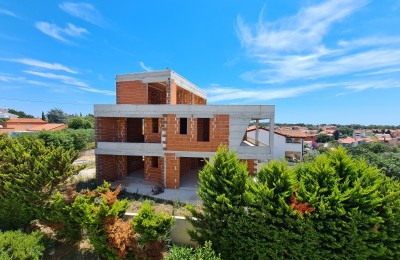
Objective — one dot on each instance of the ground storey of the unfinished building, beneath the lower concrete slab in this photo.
(169, 171)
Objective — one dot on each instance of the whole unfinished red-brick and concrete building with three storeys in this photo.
(162, 129)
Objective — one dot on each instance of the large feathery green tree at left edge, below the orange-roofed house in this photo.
(30, 173)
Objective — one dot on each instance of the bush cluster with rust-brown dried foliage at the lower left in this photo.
(100, 214)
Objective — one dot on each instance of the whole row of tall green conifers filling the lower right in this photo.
(332, 207)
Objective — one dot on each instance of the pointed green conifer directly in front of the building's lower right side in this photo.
(222, 186)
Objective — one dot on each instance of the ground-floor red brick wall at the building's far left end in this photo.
(110, 167)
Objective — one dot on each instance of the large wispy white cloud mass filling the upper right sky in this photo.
(293, 48)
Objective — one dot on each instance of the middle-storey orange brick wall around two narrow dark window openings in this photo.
(219, 134)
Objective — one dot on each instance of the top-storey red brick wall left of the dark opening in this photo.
(131, 92)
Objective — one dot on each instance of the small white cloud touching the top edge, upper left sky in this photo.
(83, 11)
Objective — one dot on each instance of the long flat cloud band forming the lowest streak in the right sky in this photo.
(316, 66)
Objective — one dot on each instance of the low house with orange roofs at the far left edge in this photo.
(22, 125)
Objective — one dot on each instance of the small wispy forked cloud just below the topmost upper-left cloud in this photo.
(58, 33)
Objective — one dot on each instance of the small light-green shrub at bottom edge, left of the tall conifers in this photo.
(189, 253)
